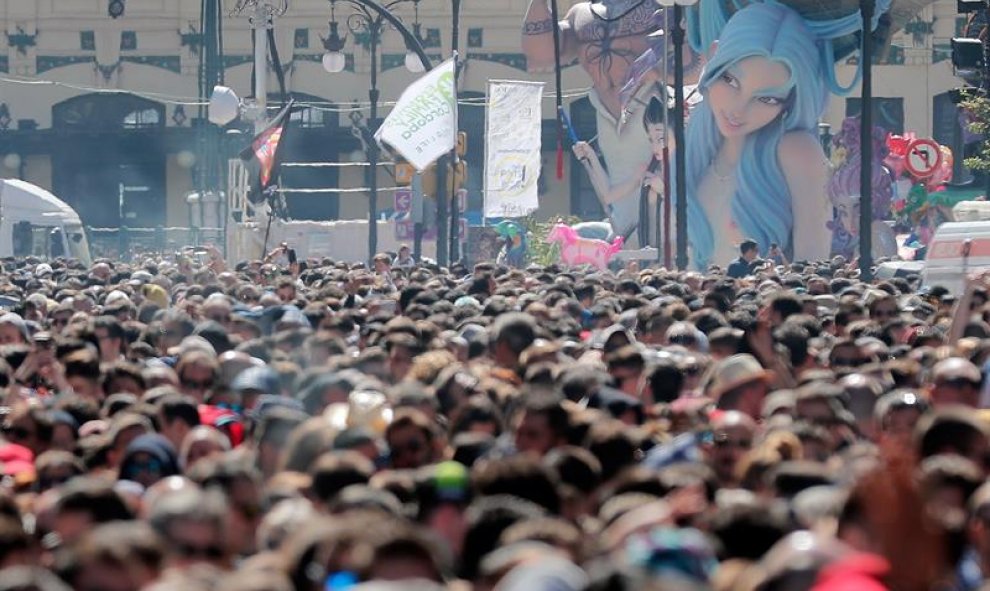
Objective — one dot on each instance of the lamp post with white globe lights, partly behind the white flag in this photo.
(370, 19)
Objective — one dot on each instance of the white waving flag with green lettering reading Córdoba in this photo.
(423, 124)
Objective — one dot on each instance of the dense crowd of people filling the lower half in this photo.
(173, 423)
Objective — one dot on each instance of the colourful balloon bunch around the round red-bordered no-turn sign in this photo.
(922, 204)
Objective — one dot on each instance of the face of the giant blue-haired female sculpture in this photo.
(748, 95)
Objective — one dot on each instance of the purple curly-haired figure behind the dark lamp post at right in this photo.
(844, 192)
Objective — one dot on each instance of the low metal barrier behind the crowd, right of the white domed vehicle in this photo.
(127, 244)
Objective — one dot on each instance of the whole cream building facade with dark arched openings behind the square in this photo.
(106, 112)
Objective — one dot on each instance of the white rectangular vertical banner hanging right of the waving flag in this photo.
(512, 148)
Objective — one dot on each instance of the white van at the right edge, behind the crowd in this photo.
(957, 249)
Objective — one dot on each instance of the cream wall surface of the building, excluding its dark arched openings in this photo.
(60, 49)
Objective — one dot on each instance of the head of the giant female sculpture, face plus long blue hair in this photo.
(764, 79)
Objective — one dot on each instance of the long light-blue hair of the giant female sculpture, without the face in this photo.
(762, 206)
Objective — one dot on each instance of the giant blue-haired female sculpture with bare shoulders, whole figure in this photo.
(773, 172)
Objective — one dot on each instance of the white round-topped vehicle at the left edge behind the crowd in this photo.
(33, 222)
